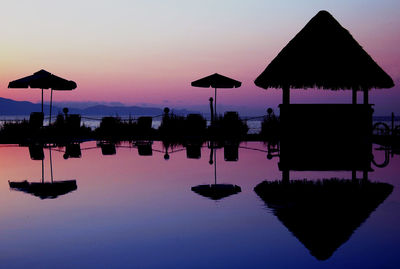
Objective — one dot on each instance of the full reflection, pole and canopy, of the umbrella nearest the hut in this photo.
(216, 191)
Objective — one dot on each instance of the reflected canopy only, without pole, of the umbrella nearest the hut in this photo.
(216, 191)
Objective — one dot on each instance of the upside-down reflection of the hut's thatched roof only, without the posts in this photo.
(323, 214)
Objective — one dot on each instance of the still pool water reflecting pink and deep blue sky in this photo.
(132, 211)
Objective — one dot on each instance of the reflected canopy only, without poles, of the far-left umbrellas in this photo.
(45, 190)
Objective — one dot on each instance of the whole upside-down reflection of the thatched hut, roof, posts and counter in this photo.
(323, 214)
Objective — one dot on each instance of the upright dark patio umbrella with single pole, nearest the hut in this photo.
(216, 81)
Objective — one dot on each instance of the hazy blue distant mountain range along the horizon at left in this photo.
(12, 107)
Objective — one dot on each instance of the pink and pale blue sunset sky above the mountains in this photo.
(148, 52)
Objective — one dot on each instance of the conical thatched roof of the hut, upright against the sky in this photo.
(324, 55)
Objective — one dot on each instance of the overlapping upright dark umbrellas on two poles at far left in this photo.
(44, 80)
